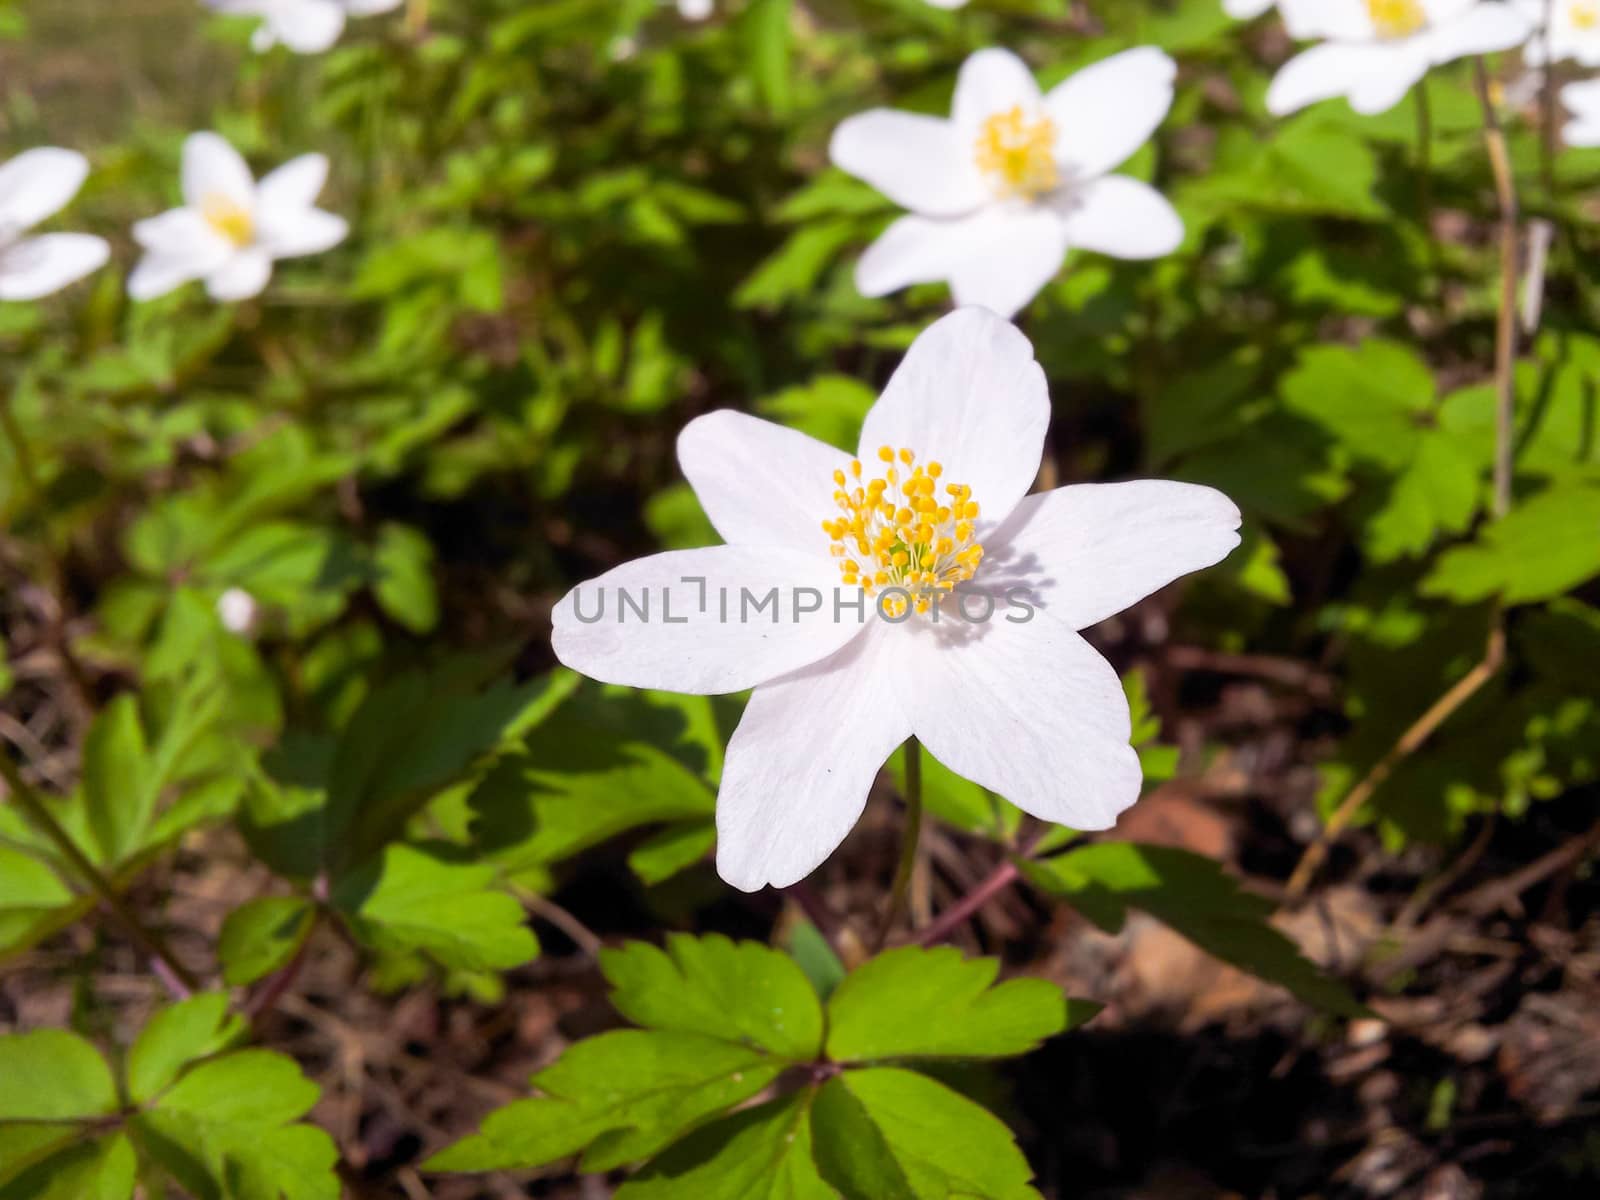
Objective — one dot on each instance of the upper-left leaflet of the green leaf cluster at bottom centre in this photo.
(714, 986)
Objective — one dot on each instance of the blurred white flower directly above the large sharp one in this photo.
(1002, 190)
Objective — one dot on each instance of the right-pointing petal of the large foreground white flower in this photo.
(1090, 551)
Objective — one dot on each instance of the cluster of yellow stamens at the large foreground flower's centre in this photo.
(902, 532)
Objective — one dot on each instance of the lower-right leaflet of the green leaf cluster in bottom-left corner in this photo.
(226, 1130)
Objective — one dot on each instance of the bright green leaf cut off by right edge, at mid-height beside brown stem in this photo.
(1546, 546)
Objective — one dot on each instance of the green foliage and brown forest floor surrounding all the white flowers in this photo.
(577, 226)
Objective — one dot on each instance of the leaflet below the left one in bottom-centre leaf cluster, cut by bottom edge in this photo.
(761, 1154)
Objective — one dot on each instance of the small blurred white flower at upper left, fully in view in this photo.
(231, 228)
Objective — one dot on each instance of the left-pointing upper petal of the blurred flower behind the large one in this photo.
(924, 164)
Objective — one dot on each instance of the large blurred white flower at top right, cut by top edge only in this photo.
(1377, 50)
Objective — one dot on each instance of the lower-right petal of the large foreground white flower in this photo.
(1026, 710)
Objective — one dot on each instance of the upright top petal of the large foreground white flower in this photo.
(970, 398)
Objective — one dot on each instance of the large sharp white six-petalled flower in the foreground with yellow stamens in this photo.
(870, 599)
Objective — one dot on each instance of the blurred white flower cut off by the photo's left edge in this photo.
(34, 186)
